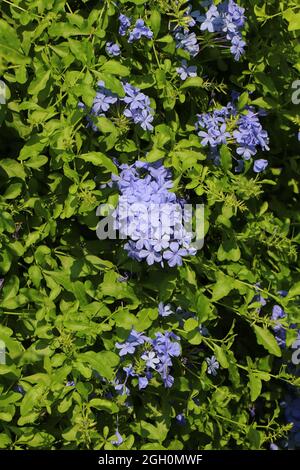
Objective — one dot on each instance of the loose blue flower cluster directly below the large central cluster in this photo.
(151, 356)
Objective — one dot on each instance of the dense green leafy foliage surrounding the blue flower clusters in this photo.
(68, 297)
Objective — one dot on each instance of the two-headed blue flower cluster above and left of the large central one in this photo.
(137, 104)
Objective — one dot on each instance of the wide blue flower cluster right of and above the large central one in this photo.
(228, 126)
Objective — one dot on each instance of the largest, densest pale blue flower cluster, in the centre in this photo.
(150, 215)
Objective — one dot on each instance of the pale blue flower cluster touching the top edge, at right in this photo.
(228, 19)
